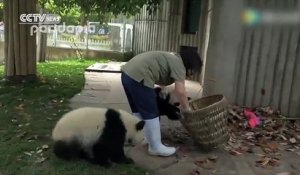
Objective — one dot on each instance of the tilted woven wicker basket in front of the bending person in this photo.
(207, 122)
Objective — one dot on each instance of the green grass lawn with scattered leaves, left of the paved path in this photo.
(29, 112)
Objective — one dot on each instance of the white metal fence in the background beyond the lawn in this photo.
(94, 36)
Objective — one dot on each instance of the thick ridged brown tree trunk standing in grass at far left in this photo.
(20, 46)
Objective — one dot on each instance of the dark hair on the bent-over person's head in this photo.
(192, 62)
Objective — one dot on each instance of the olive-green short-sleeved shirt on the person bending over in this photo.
(155, 67)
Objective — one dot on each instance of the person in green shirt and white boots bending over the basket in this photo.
(139, 77)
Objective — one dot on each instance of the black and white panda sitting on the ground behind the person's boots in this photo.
(97, 135)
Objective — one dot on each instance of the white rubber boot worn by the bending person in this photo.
(153, 135)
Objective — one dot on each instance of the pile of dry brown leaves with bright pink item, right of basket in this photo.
(272, 133)
